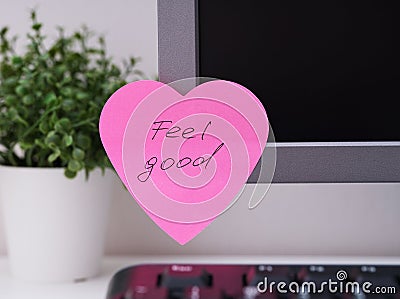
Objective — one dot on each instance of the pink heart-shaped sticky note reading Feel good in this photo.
(184, 158)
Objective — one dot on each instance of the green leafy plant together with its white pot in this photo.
(53, 180)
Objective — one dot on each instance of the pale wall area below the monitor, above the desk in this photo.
(293, 219)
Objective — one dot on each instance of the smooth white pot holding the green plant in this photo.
(55, 226)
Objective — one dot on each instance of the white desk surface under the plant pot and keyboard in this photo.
(96, 288)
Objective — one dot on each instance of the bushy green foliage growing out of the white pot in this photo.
(51, 98)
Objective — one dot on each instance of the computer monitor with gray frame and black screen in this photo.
(324, 70)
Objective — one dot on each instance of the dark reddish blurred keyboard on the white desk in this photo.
(180, 281)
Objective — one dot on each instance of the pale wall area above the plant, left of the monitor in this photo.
(130, 26)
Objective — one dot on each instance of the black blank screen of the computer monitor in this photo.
(324, 70)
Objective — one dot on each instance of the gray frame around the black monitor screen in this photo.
(297, 162)
